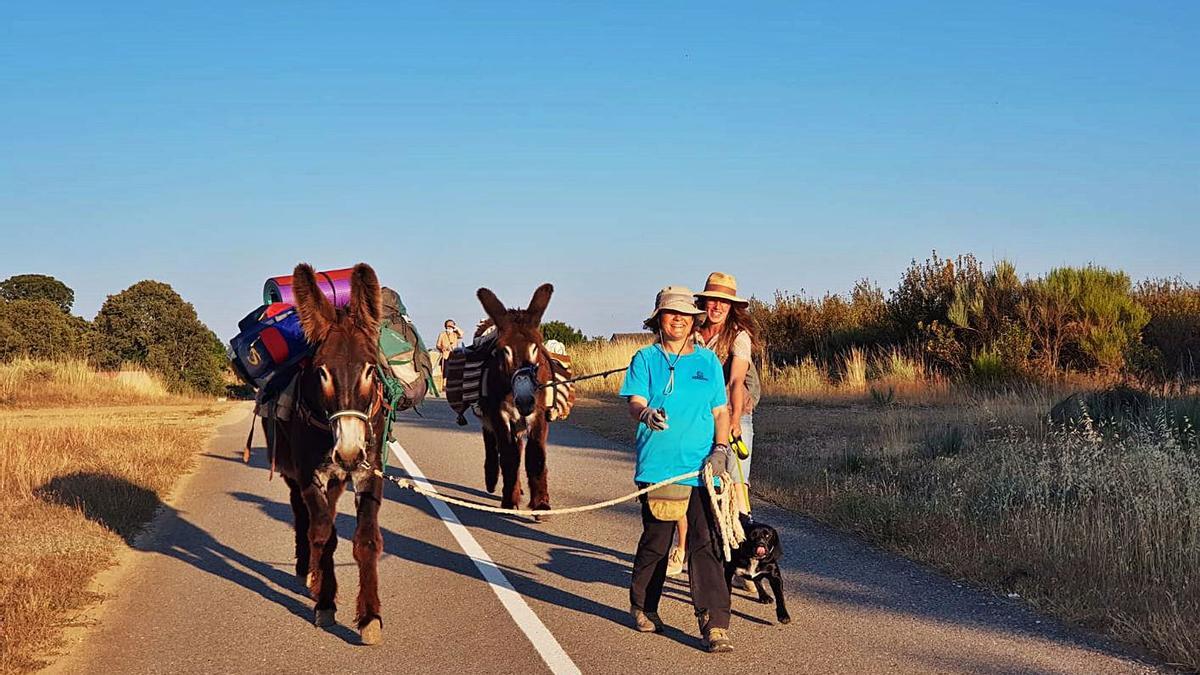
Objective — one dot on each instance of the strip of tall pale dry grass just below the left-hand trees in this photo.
(38, 384)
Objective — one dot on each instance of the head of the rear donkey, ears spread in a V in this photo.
(519, 349)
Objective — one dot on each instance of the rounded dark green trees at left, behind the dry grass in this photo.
(147, 326)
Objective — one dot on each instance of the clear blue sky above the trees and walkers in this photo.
(609, 148)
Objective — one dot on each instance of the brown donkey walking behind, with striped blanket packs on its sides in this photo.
(514, 415)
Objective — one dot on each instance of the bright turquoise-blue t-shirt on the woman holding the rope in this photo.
(699, 389)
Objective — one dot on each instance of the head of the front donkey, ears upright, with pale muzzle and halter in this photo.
(344, 383)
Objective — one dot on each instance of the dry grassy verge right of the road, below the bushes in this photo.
(1099, 524)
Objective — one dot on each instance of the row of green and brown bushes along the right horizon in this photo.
(963, 319)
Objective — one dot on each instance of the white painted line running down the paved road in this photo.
(539, 636)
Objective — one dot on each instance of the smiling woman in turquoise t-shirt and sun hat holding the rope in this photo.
(676, 393)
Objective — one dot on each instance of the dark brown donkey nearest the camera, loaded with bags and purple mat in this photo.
(337, 427)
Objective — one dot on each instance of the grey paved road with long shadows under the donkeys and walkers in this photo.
(212, 590)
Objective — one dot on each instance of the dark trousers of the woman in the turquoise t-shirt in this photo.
(706, 572)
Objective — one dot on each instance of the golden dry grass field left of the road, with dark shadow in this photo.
(87, 459)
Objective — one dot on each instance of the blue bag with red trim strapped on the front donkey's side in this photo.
(271, 341)
